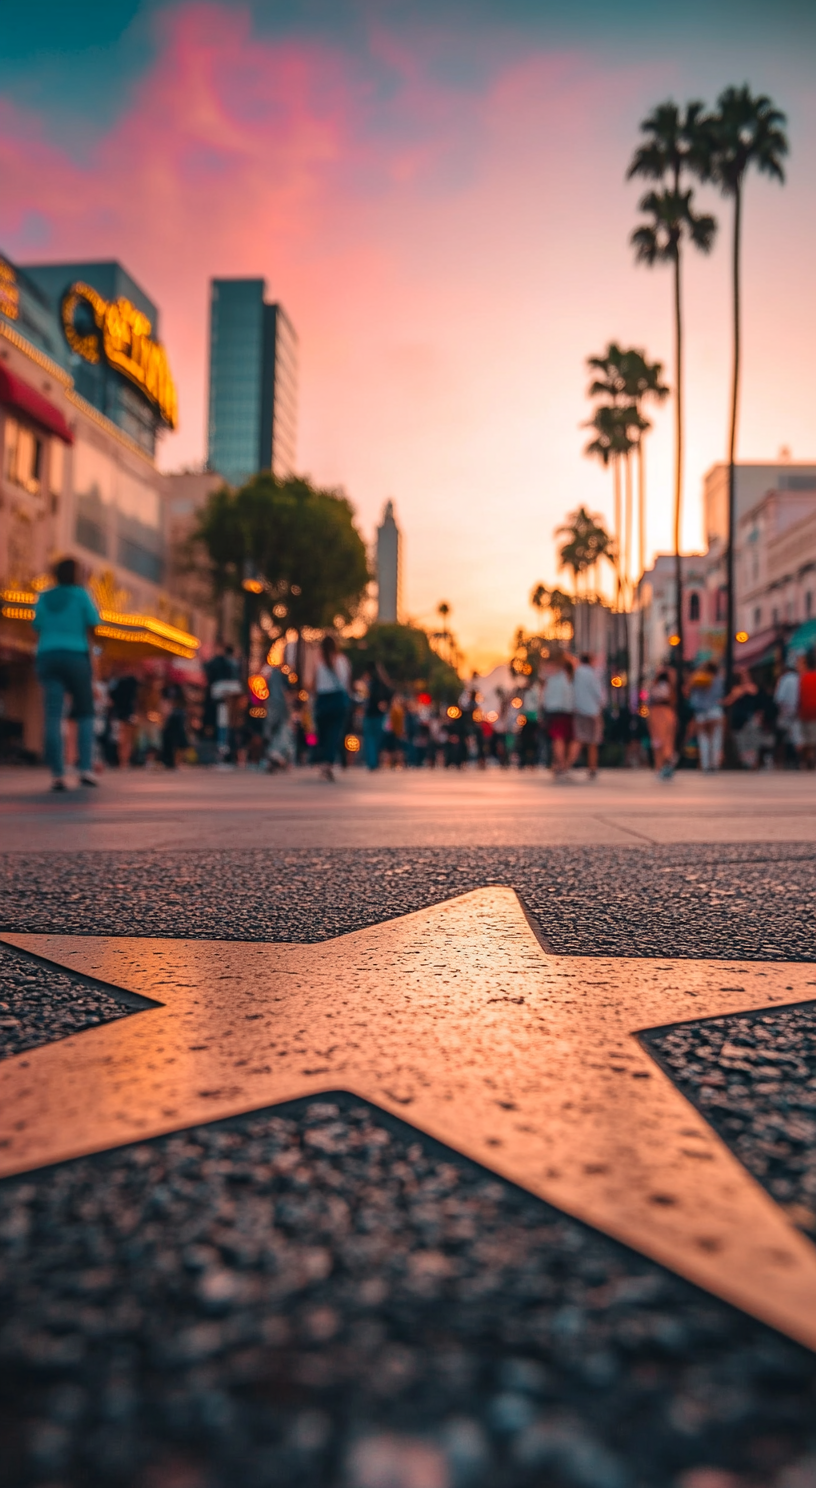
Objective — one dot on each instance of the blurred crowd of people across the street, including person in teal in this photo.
(556, 716)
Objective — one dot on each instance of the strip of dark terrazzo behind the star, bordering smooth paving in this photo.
(750, 902)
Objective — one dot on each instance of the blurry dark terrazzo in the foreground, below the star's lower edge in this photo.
(316, 1297)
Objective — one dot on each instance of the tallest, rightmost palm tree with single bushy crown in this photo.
(745, 132)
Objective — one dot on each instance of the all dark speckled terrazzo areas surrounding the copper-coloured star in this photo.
(321, 1297)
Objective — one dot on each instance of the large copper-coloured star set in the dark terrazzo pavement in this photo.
(458, 1022)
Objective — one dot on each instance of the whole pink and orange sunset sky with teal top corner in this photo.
(437, 194)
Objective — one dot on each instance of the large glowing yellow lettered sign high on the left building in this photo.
(117, 331)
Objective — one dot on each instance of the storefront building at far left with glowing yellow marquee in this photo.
(75, 481)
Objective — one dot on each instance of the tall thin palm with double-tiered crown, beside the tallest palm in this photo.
(677, 145)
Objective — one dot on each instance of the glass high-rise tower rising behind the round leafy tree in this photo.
(254, 383)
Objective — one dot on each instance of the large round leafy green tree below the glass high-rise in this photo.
(299, 539)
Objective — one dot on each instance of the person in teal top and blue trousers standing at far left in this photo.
(65, 620)
